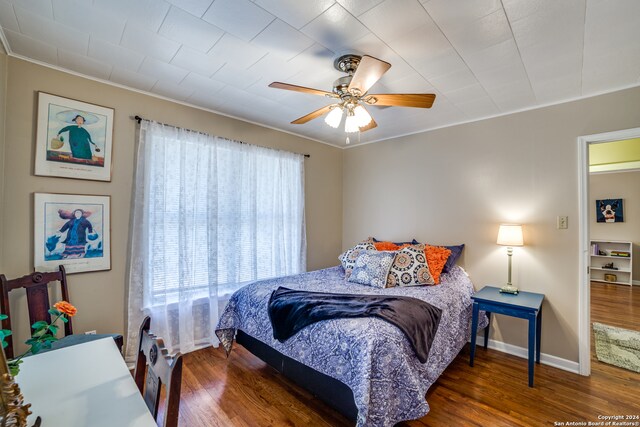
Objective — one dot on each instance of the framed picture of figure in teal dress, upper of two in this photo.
(73, 139)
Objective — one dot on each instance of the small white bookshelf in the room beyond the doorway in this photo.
(611, 252)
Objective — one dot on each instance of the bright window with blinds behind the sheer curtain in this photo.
(238, 223)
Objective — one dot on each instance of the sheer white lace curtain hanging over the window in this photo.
(209, 215)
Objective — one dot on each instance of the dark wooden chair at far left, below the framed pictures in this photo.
(37, 288)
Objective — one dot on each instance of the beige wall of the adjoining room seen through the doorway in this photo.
(621, 185)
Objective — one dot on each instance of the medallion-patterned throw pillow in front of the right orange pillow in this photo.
(410, 268)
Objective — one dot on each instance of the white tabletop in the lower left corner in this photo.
(83, 385)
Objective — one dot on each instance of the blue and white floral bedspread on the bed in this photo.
(371, 356)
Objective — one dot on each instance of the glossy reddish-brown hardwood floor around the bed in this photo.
(243, 391)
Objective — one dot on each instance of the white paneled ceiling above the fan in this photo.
(481, 57)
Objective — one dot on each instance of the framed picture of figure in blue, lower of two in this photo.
(72, 230)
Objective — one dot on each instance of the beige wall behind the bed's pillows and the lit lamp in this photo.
(456, 185)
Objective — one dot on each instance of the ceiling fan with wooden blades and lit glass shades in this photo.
(351, 94)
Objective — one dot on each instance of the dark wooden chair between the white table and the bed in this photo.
(160, 368)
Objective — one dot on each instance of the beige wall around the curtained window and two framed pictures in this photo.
(100, 296)
